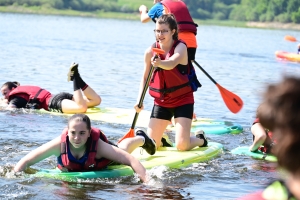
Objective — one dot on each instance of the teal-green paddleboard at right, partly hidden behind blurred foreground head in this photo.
(257, 154)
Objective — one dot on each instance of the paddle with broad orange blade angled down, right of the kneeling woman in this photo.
(233, 102)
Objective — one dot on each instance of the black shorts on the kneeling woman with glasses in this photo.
(186, 111)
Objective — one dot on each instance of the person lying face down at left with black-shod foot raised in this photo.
(34, 97)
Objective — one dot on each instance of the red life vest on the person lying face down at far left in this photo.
(33, 94)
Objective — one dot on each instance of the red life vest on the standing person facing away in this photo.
(182, 15)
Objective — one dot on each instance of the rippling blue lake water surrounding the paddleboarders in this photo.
(37, 50)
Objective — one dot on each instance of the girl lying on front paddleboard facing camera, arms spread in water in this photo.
(81, 147)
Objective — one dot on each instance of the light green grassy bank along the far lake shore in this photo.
(47, 9)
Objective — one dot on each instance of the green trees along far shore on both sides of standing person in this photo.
(239, 10)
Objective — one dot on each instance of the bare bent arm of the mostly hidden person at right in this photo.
(259, 134)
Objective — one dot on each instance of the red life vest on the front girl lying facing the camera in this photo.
(91, 163)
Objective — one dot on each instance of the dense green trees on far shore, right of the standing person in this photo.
(246, 10)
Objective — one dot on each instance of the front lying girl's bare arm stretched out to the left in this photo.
(39, 154)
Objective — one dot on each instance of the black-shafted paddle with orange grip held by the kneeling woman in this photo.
(131, 131)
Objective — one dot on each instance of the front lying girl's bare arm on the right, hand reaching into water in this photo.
(118, 155)
